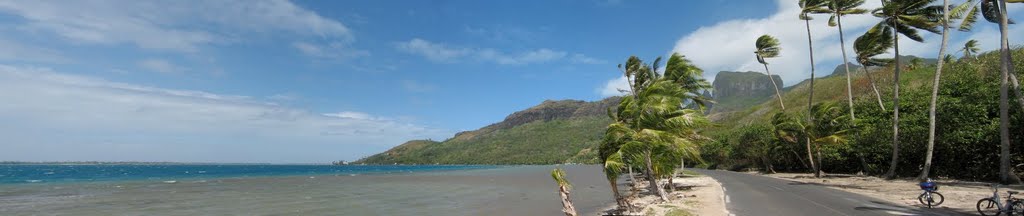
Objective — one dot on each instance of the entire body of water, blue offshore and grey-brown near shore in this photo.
(294, 190)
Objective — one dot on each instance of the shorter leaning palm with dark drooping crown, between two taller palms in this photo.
(873, 44)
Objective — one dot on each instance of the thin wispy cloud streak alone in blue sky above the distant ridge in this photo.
(440, 53)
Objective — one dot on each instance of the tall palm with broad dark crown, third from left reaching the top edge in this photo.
(906, 18)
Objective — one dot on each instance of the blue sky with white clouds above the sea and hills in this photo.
(276, 81)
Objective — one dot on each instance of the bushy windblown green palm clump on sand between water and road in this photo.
(654, 120)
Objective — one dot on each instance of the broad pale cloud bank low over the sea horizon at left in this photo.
(52, 116)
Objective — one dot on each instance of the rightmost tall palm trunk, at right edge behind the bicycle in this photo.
(1006, 172)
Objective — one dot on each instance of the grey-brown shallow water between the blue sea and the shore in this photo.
(507, 191)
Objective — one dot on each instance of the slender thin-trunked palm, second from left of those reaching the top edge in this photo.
(838, 9)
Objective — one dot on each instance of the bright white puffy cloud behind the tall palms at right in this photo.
(730, 46)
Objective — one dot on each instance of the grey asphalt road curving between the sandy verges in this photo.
(751, 195)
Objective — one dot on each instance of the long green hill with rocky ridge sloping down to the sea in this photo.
(553, 133)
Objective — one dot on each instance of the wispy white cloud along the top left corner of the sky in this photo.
(176, 26)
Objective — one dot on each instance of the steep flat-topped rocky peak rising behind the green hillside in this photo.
(737, 91)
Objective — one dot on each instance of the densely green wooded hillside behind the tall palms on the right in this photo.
(967, 144)
